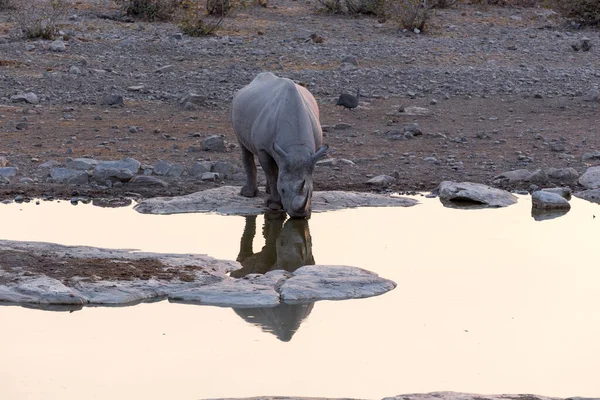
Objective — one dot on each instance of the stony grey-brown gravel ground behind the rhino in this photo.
(489, 89)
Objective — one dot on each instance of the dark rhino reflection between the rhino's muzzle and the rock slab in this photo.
(287, 247)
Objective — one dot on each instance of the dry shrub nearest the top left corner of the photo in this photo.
(40, 19)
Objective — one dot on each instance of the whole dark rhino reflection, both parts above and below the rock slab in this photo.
(287, 246)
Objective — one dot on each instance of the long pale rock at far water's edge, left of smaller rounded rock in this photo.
(475, 193)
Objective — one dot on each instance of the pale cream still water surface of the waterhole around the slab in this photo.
(488, 301)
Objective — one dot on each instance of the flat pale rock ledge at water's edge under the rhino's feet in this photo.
(227, 200)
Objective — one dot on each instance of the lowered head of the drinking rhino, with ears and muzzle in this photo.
(294, 182)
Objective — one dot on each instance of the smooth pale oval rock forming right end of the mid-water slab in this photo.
(327, 282)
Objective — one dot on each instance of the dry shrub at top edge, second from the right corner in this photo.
(408, 14)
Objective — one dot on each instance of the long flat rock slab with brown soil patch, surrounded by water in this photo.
(46, 274)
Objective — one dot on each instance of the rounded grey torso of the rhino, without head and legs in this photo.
(272, 109)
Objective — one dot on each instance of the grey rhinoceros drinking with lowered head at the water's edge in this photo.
(278, 121)
